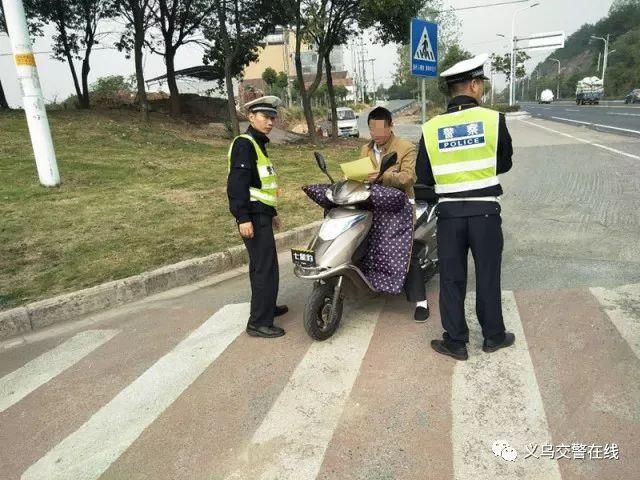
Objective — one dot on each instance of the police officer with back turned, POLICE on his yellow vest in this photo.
(462, 152)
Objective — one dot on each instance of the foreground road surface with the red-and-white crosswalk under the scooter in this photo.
(172, 387)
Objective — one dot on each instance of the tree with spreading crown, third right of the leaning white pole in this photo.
(179, 22)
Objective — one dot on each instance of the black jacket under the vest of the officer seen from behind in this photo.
(504, 164)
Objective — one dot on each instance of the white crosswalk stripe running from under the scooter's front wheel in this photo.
(291, 441)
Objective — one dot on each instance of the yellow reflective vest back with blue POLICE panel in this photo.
(462, 148)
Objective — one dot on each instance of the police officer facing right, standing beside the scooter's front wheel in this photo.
(252, 188)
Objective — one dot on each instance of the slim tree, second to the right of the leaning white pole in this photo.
(138, 15)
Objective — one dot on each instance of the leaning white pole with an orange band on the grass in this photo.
(34, 107)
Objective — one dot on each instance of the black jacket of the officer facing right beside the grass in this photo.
(244, 174)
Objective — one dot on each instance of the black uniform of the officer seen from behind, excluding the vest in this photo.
(474, 225)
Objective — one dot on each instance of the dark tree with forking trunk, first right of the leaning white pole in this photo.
(76, 23)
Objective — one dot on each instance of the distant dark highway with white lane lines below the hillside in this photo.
(617, 118)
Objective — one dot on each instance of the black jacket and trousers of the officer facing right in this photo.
(263, 258)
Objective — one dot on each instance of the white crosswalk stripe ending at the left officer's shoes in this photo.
(90, 450)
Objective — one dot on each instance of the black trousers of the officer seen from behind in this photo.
(482, 234)
